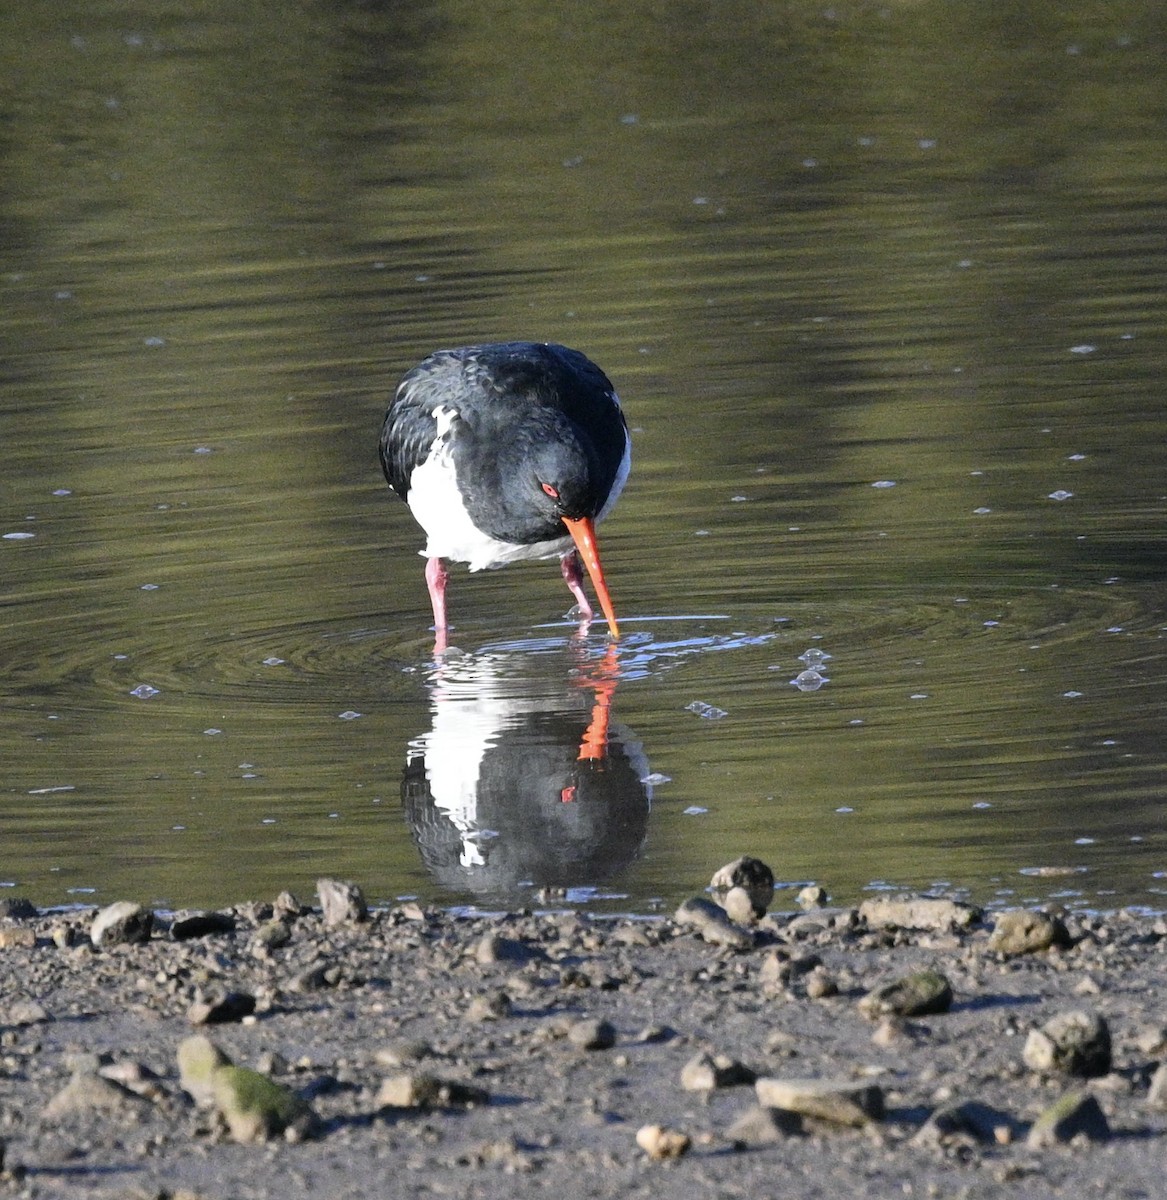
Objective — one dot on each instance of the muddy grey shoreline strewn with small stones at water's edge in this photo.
(429, 1054)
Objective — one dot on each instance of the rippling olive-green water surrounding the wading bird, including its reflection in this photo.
(883, 290)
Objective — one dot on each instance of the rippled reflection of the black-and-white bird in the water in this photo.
(525, 781)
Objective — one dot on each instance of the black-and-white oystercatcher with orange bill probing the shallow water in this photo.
(507, 452)
